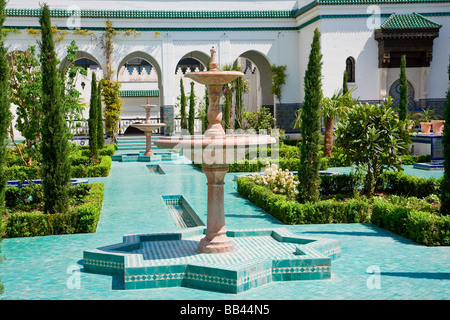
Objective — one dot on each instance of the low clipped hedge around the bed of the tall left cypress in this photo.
(82, 217)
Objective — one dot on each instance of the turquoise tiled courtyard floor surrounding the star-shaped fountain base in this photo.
(51, 267)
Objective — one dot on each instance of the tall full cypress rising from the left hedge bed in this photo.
(54, 144)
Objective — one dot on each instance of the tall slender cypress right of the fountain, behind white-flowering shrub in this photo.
(308, 172)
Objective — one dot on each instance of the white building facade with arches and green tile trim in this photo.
(174, 36)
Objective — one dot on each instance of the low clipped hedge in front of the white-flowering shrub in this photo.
(291, 212)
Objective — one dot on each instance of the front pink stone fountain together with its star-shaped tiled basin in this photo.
(190, 257)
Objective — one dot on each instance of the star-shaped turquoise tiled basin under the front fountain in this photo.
(171, 260)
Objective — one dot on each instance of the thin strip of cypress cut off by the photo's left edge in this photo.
(5, 114)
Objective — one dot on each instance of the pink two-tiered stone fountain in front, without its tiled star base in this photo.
(215, 150)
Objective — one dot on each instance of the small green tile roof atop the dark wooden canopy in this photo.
(409, 21)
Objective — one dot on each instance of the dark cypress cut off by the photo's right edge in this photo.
(445, 184)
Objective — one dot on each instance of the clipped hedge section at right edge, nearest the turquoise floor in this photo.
(420, 226)
